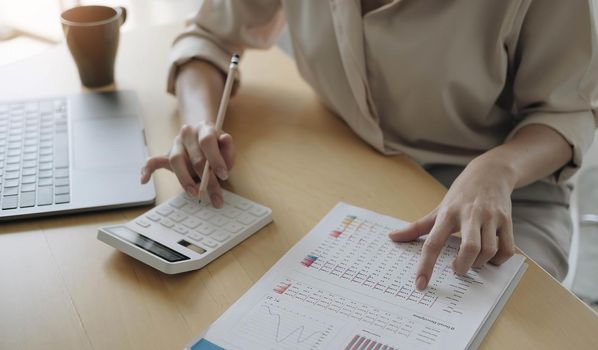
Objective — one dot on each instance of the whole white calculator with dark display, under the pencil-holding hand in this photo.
(185, 234)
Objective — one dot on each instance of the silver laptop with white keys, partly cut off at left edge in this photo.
(70, 154)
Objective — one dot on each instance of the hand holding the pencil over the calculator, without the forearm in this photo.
(187, 157)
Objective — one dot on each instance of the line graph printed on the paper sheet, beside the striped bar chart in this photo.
(273, 325)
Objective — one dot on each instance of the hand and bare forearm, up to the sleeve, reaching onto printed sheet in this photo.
(479, 202)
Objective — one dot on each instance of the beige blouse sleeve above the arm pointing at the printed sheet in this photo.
(556, 73)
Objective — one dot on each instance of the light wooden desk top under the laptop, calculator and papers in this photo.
(60, 288)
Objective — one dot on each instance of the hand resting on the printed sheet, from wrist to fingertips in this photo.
(478, 204)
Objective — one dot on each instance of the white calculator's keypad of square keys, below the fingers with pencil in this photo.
(201, 223)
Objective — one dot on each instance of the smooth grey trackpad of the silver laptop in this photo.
(107, 142)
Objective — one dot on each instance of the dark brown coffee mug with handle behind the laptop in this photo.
(92, 34)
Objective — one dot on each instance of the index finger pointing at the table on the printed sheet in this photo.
(430, 251)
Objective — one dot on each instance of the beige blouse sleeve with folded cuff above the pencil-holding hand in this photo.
(223, 27)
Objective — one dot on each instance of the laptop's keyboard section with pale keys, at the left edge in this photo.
(34, 157)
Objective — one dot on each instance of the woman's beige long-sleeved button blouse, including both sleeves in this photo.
(442, 81)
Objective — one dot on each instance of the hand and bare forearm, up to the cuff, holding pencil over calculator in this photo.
(199, 86)
